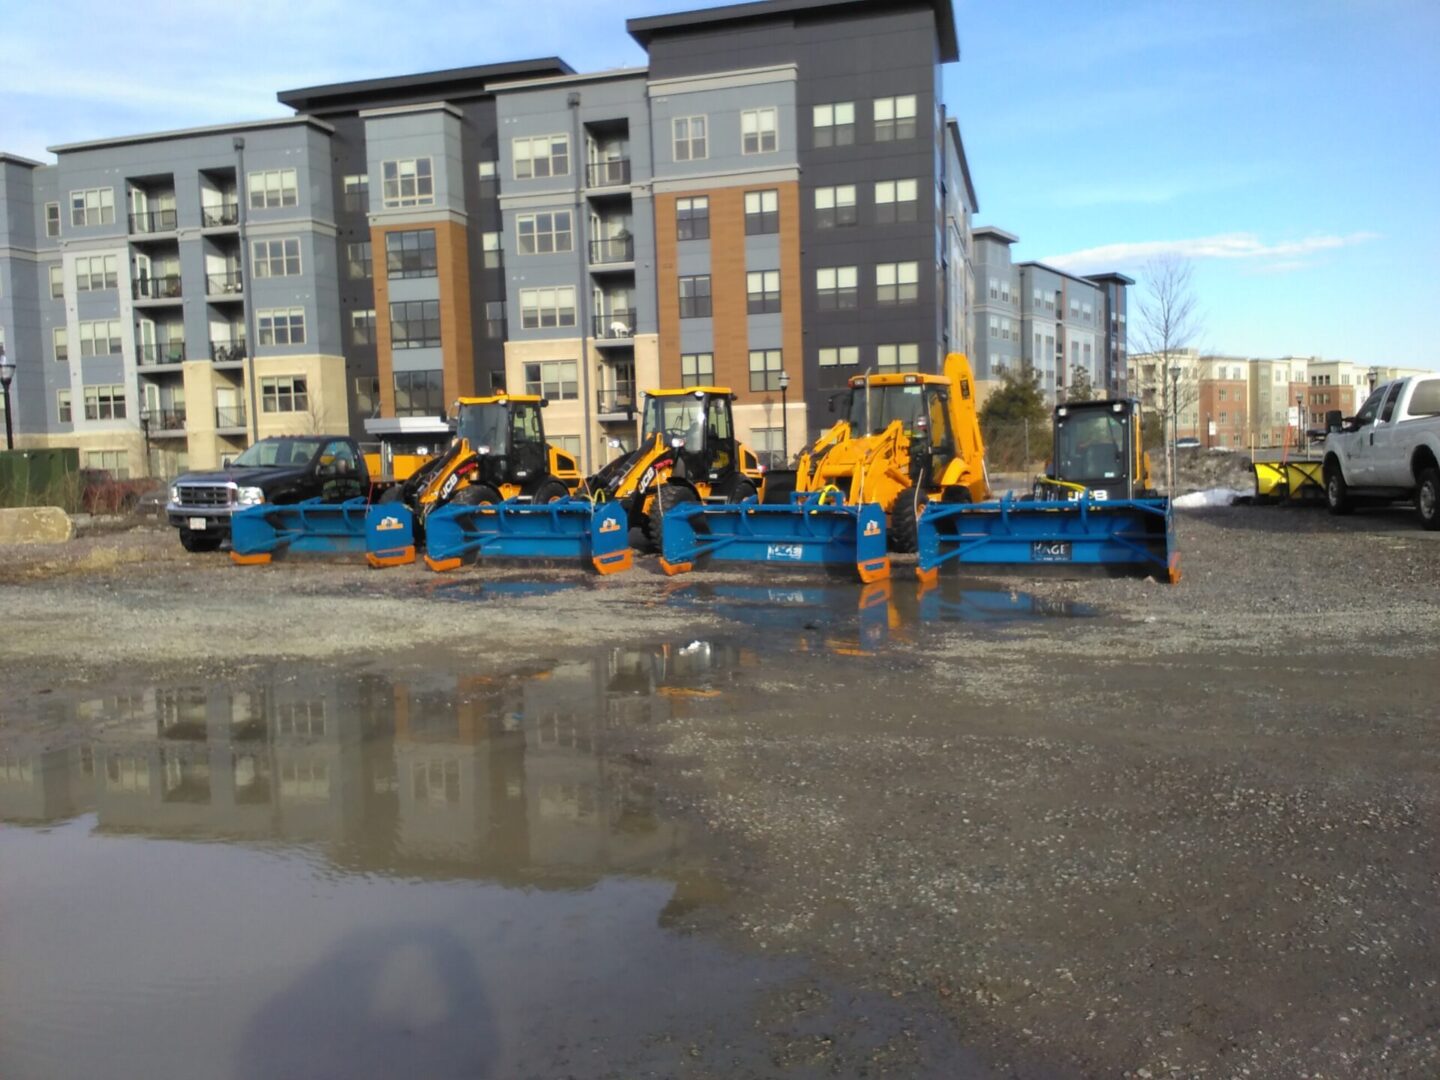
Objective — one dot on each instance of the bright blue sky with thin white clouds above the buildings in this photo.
(1291, 149)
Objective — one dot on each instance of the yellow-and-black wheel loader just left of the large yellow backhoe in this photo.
(688, 453)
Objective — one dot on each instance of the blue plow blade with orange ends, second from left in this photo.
(570, 529)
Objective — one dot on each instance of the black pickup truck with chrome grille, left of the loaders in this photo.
(284, 469)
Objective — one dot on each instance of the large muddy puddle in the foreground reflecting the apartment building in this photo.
(329, 873)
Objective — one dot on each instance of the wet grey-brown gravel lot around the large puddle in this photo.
(1190, 836)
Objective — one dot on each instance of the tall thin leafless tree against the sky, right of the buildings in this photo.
(1167, 326)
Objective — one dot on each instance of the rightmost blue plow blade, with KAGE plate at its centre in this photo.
(1125, 534)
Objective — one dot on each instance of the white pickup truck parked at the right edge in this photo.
(1389, 450)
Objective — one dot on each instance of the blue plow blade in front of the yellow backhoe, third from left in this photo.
(816, 529)
